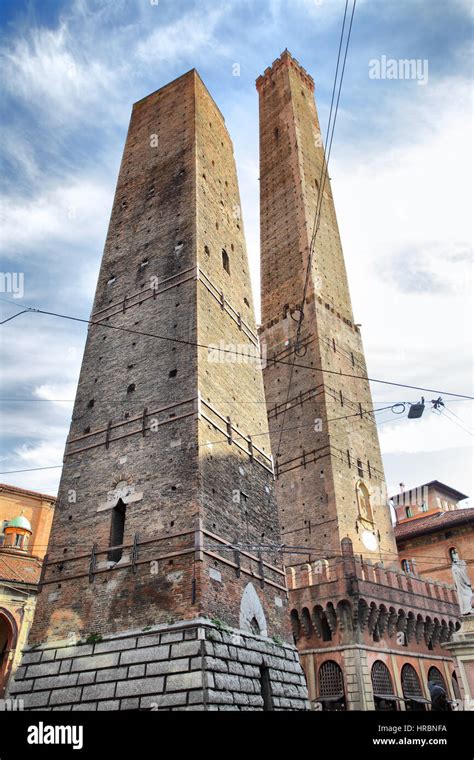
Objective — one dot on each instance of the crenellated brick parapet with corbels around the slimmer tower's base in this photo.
(350, 591)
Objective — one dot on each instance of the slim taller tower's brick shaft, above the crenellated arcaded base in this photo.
(330, 479)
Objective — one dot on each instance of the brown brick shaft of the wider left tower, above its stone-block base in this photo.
(176, 211)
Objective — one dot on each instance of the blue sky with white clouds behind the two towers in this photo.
(400, 169)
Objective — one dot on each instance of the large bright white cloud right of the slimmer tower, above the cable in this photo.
(404, 211)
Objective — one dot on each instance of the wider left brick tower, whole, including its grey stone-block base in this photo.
(159, 589)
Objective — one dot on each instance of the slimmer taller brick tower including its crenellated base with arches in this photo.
(369, 637)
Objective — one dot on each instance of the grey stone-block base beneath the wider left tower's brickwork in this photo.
(192, 665)
